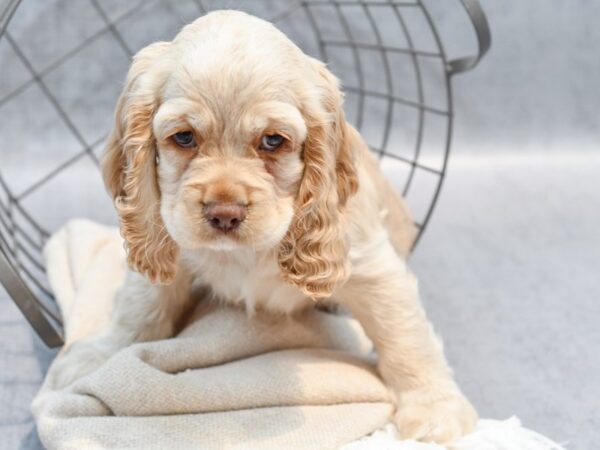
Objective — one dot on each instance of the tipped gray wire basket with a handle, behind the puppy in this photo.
(63, 63)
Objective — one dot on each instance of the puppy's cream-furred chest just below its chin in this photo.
(254, 281)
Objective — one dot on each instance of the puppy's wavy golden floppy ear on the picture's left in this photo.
(129, 170)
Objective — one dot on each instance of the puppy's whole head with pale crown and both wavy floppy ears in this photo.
(231, 137)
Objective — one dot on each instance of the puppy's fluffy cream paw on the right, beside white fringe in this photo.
(432, 415)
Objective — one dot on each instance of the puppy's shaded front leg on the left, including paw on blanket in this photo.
(142, 312)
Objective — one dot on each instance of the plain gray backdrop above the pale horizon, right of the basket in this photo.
(537, 90)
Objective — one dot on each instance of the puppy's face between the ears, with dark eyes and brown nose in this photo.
(230, 158)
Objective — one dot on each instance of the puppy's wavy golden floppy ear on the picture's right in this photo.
(314, 253)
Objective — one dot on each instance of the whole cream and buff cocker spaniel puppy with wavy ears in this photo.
(232, 167)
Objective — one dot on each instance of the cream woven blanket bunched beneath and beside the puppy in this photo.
(227, 381)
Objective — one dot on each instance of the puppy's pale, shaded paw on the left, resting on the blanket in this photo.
(81, 359)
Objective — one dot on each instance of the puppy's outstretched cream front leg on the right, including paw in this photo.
(383, 296)
